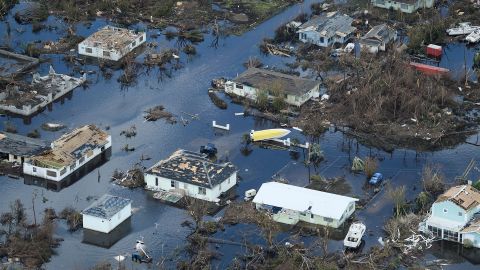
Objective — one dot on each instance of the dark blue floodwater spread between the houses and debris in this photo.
(105, 103)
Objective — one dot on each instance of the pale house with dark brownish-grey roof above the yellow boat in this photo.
(295, 90)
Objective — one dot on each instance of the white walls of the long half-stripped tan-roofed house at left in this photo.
(61, 173)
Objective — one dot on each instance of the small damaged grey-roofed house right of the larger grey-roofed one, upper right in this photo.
(378, 38)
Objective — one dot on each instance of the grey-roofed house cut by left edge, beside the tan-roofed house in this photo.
(18, 148)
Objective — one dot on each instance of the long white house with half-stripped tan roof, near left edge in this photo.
(70, 157)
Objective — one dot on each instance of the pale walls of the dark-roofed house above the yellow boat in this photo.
(251, 93)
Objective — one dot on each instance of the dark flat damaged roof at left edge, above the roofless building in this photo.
(12, 64)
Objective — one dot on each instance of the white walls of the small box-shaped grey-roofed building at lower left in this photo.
(107, 225)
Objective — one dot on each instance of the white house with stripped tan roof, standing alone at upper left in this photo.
(111, 43)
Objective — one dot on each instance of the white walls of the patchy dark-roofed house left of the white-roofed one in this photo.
(212, 194)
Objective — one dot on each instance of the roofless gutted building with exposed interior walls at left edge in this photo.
(27, 99)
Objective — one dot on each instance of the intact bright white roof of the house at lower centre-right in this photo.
(301, 199)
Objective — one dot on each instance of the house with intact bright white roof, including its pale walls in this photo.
(290, 204)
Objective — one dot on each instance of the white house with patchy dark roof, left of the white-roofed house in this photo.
(191, 174)
